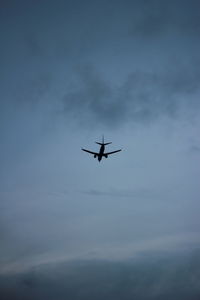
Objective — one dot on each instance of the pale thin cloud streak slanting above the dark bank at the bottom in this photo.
(163, 244)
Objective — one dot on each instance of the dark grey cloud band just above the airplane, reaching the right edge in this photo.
(142, 98)
